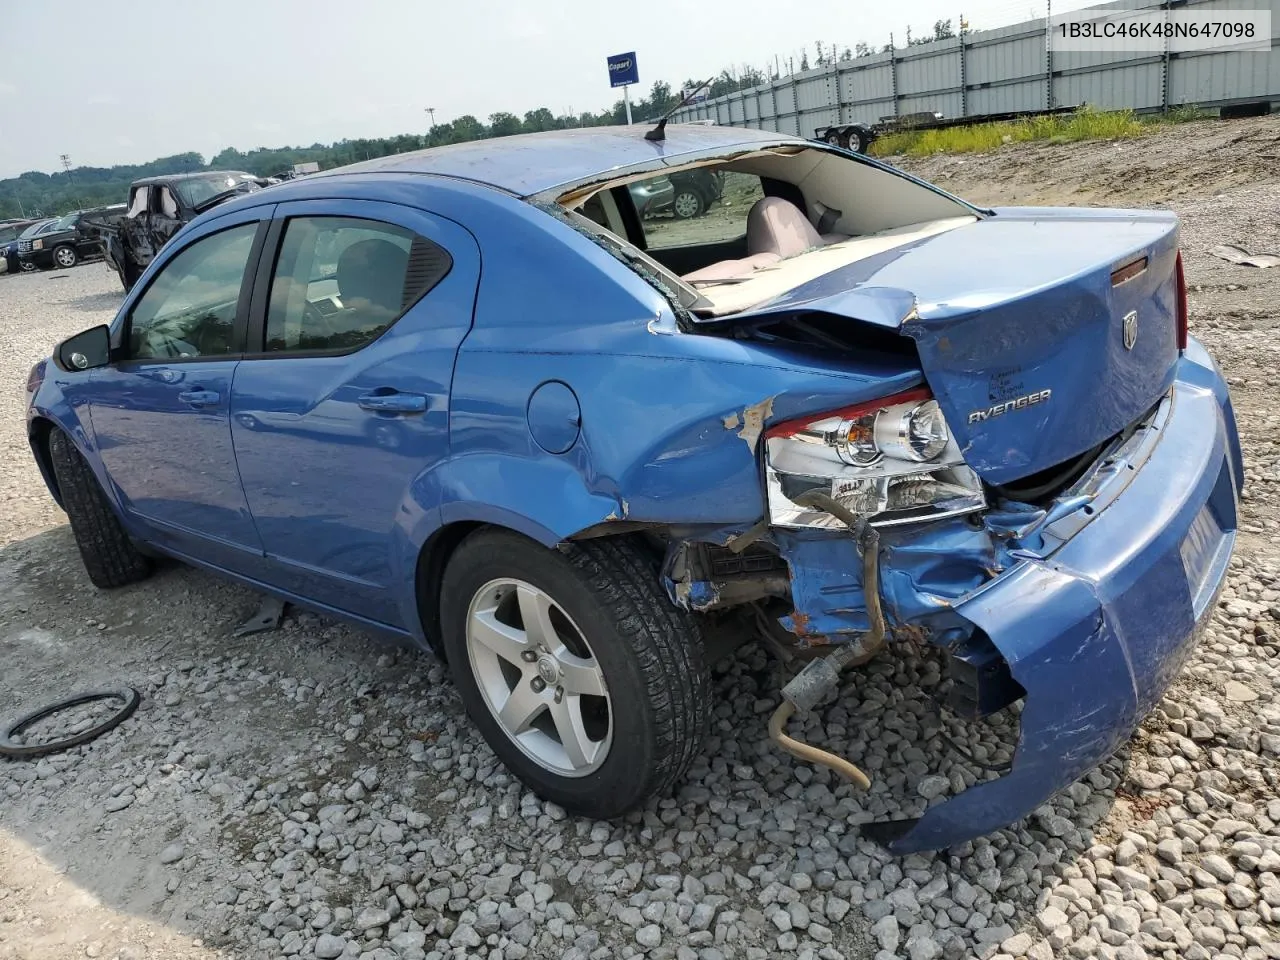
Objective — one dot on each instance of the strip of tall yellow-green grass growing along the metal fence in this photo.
(1053, 129)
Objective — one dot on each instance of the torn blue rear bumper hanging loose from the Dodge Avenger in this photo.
(1099, 629)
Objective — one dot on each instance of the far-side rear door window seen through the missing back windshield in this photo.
(696, 207)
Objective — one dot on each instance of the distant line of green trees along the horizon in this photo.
(38, 194)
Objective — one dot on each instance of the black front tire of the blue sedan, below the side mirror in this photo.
(109, 556)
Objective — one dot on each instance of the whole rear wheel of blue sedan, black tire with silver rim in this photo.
(604, 602)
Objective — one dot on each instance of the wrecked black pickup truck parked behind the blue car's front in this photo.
(159, 207)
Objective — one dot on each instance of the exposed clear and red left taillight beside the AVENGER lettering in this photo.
(892, 460)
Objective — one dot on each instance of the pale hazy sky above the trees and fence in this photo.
(113, 84)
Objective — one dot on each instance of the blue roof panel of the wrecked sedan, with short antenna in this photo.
(532, 163)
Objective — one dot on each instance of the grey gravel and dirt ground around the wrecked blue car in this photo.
(310, 793)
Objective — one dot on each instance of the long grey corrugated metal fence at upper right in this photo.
(1003, 71)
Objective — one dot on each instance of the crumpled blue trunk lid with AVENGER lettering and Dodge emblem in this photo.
(1021, 327)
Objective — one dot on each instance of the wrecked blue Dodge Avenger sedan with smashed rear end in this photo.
(470, 399)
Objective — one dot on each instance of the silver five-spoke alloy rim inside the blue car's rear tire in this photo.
(540, 678)
